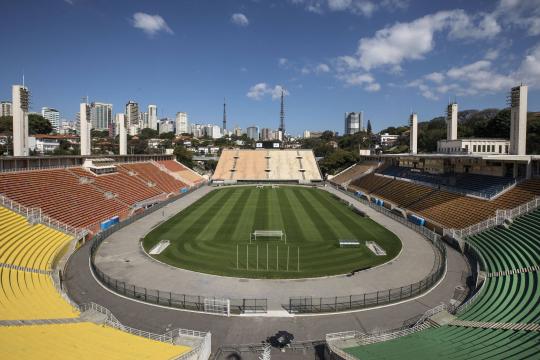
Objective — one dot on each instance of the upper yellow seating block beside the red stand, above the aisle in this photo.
(30, 246)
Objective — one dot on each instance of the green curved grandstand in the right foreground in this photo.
(503, 321)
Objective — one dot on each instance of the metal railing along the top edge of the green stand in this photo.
(498, 219)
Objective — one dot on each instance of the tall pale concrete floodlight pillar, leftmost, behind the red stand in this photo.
(20, 98)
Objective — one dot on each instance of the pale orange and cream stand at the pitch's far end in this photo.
(267, 165)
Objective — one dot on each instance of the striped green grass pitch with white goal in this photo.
(205, 236)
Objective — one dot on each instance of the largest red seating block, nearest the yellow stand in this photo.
(61, 195)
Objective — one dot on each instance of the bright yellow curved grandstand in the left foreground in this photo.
(37, 321)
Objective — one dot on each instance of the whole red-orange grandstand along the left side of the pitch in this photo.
(84, 198)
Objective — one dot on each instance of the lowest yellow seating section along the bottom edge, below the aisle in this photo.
(82, 340)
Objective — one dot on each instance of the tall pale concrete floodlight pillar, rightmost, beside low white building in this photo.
(518, 120)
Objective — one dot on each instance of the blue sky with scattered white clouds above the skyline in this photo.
(384, 57)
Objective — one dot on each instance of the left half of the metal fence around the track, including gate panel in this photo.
(159, 297)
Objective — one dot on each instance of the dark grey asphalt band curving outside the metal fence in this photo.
(82, 287)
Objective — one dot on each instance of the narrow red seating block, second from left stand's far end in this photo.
(151, 174)
